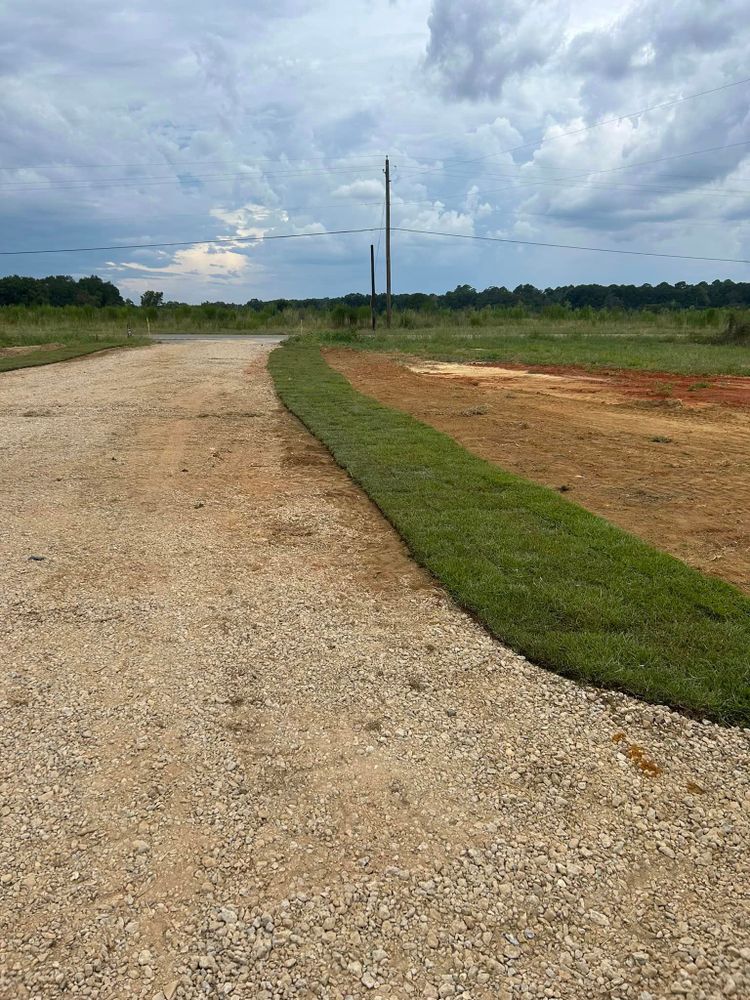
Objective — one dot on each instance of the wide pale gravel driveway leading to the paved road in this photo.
(249, 750)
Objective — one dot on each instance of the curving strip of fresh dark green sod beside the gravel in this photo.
(567, 589)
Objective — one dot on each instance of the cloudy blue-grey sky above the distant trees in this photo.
(180, 121)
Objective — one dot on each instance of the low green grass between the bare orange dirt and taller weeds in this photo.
(540, 341)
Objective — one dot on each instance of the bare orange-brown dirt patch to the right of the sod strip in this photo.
(644, 450)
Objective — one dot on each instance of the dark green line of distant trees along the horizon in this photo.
(63, 290)
